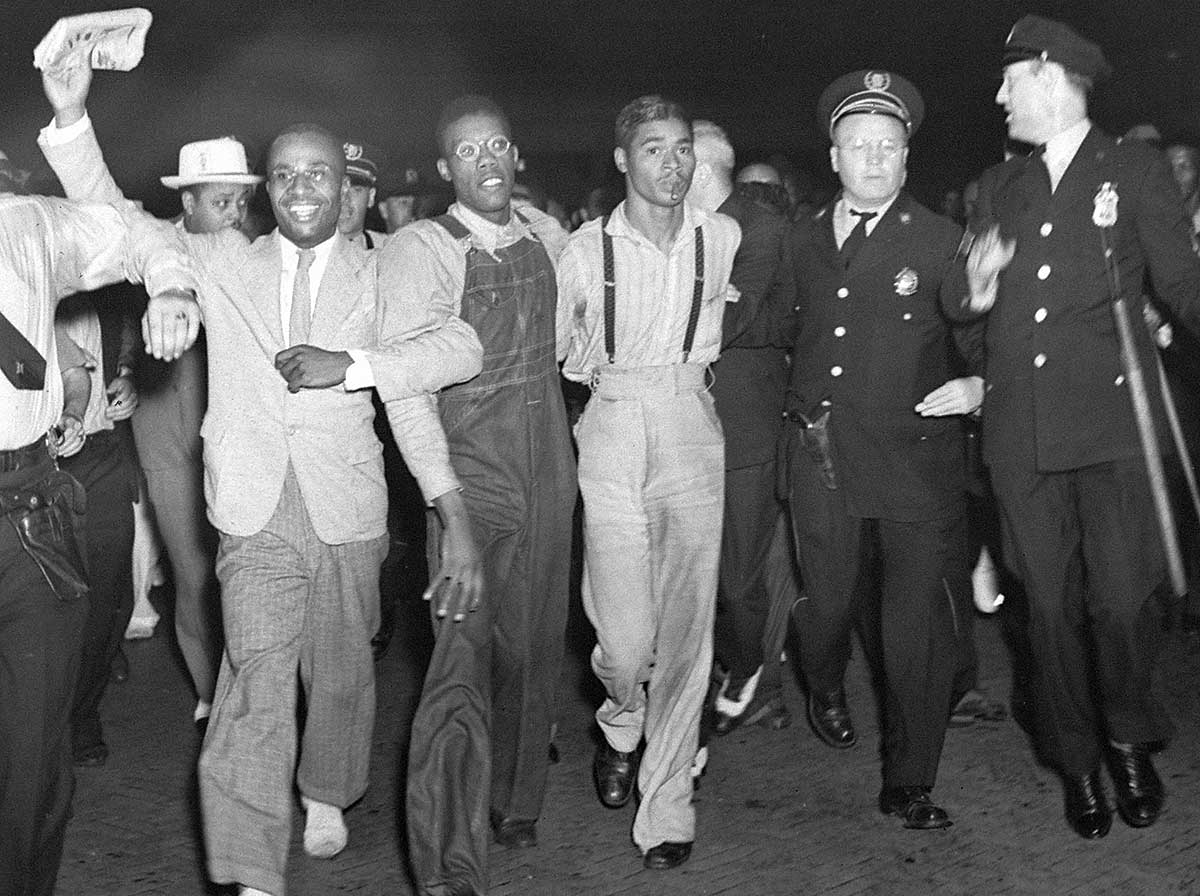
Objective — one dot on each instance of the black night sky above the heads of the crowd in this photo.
(562, 70)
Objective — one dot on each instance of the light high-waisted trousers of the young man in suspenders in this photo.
(652, 473)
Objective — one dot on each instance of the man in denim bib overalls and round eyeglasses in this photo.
(482, 732)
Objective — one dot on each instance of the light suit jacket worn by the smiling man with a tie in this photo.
(254, 428)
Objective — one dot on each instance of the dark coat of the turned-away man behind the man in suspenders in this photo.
(751, 378)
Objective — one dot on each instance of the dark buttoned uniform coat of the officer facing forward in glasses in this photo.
(873, 342)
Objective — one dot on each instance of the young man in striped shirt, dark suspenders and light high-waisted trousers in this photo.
(640, 320)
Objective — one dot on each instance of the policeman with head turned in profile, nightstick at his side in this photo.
(1060, 432)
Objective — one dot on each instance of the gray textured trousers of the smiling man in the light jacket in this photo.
(292, 605)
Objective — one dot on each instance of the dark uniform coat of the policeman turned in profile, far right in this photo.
(1057, 393)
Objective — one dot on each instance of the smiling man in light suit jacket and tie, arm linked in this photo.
(295, 485)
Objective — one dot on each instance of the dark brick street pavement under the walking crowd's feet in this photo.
(779, 814)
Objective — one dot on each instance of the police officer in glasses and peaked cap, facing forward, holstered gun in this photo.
(875, 452)
